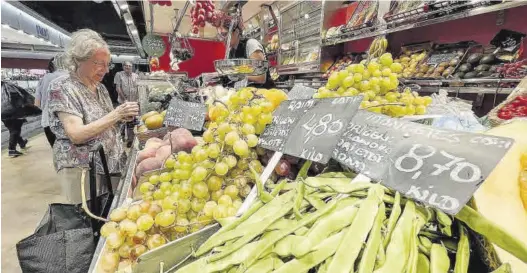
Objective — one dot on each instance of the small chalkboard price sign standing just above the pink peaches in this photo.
(188, 115)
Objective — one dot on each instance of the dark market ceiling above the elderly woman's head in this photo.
(100, 16)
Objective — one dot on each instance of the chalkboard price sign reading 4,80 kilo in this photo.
(310, 128)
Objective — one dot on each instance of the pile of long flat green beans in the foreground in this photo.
(325, 224)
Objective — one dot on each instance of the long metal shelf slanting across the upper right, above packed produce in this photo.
(385, 28)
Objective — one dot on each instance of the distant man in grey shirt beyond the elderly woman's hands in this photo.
(126, 86)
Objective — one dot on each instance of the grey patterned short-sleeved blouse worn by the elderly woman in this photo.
(71, 96)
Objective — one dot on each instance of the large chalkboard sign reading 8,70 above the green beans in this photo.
(442, 168)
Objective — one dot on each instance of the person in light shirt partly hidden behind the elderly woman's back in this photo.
(56, 70)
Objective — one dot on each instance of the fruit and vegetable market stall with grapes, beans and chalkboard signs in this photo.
(371, 158)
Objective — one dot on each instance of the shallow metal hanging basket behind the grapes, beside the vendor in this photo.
(246, 67)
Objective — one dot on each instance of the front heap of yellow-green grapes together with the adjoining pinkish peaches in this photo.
(199, 184)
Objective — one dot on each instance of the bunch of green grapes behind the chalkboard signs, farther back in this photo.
(377, 80)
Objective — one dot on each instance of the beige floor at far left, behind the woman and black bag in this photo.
(29, 184)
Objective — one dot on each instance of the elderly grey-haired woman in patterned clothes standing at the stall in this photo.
(82, 115)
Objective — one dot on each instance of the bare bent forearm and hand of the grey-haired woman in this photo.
(80, 133)
